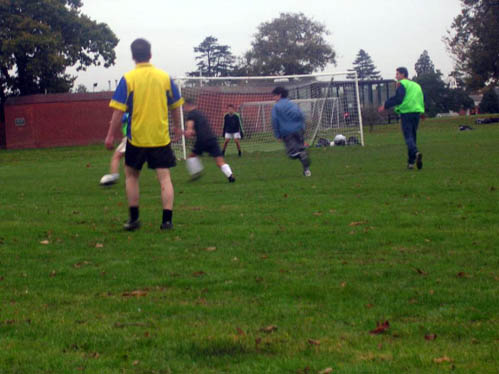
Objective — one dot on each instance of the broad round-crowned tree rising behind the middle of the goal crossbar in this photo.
(290, 44)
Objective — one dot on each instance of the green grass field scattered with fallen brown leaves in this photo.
(276, 273)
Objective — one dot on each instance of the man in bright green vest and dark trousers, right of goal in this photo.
(409, 103)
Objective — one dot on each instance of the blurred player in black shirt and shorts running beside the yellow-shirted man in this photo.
(197, 126)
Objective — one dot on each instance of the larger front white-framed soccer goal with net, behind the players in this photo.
(329, 101)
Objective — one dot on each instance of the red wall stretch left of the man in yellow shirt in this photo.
(40, 121)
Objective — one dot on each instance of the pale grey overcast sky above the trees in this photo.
(393, 32)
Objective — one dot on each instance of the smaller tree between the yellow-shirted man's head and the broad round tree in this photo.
(214, 60)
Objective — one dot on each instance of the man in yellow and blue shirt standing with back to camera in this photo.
(147, 94)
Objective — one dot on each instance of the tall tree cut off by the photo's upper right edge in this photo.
(473, 42)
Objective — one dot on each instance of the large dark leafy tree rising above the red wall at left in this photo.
(40, 39)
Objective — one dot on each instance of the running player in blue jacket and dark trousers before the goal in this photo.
(288, 123)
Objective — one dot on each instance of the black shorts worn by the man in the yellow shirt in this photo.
(156, 157)
